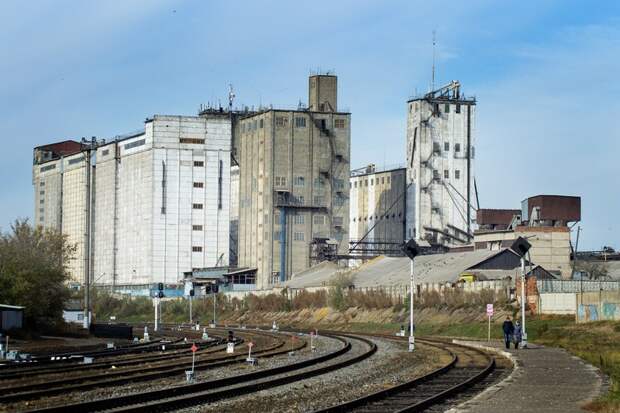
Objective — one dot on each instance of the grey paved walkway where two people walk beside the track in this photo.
(545, 380)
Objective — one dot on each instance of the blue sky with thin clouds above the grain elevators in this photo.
(544, 74)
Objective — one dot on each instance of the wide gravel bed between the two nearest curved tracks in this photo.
(391, 365)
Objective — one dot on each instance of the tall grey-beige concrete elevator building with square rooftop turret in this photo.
(293, 183)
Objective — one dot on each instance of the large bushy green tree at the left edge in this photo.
(33, 272)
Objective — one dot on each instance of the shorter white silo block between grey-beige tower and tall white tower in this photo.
(377, 210)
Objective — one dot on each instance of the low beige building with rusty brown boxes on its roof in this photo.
(543, 220)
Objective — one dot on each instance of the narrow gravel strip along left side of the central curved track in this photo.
(323, 346)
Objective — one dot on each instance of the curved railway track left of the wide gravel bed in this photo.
(213, 390)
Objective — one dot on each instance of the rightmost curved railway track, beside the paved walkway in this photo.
(467, 367)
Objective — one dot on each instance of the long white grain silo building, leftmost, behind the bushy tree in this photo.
(143, 208)
